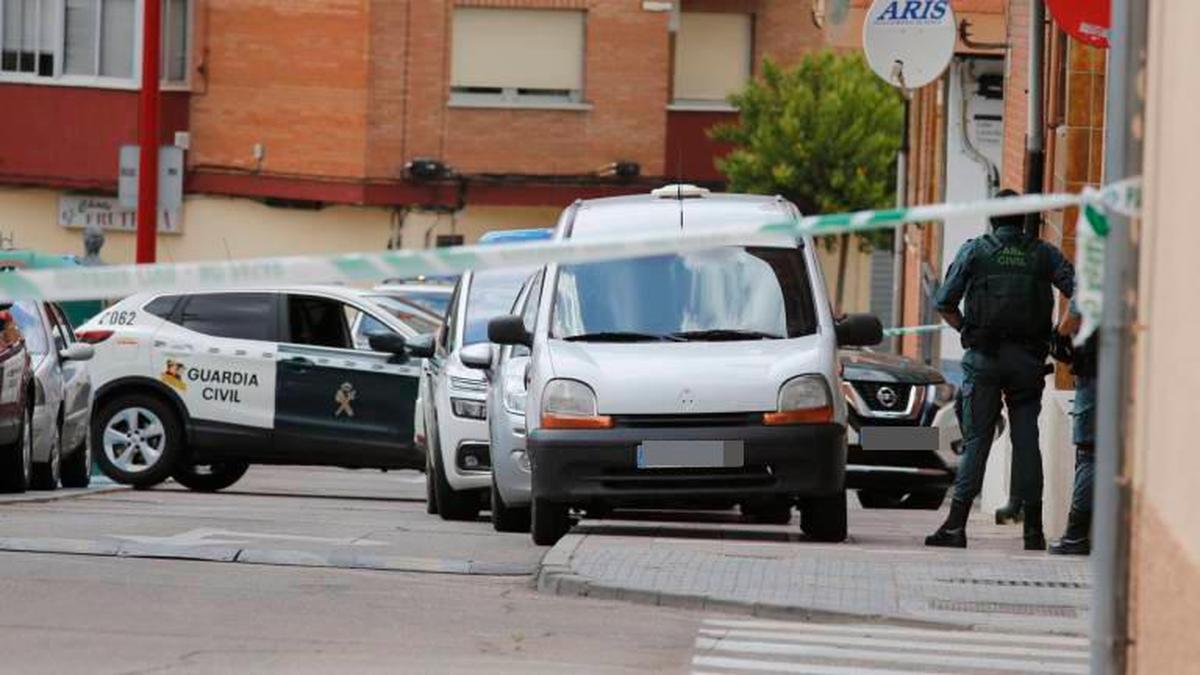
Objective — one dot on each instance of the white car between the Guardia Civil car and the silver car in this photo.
(454, 397)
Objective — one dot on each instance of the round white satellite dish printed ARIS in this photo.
(910, 43)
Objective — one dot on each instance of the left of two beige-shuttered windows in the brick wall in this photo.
(520, 58)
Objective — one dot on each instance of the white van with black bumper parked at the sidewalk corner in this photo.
(709, 375)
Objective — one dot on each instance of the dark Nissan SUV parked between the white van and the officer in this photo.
(904, 435)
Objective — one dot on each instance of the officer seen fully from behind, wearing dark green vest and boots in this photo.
(1006, 278)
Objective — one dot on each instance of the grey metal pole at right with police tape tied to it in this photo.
(1123, 158)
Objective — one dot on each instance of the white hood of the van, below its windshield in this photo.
(688, 378)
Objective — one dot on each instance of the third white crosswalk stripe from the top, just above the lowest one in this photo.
(891, 658)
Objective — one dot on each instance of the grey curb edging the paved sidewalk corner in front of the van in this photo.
(556, 577)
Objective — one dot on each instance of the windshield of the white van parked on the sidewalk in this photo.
(729, 294)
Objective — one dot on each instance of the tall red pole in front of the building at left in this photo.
(148, 134)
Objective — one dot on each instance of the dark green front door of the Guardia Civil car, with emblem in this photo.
(337, 404)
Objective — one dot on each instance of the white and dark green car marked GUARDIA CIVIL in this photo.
(200, 386)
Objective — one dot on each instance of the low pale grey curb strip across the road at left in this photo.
(278, 558)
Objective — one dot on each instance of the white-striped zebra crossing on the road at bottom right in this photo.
(826, 649)
